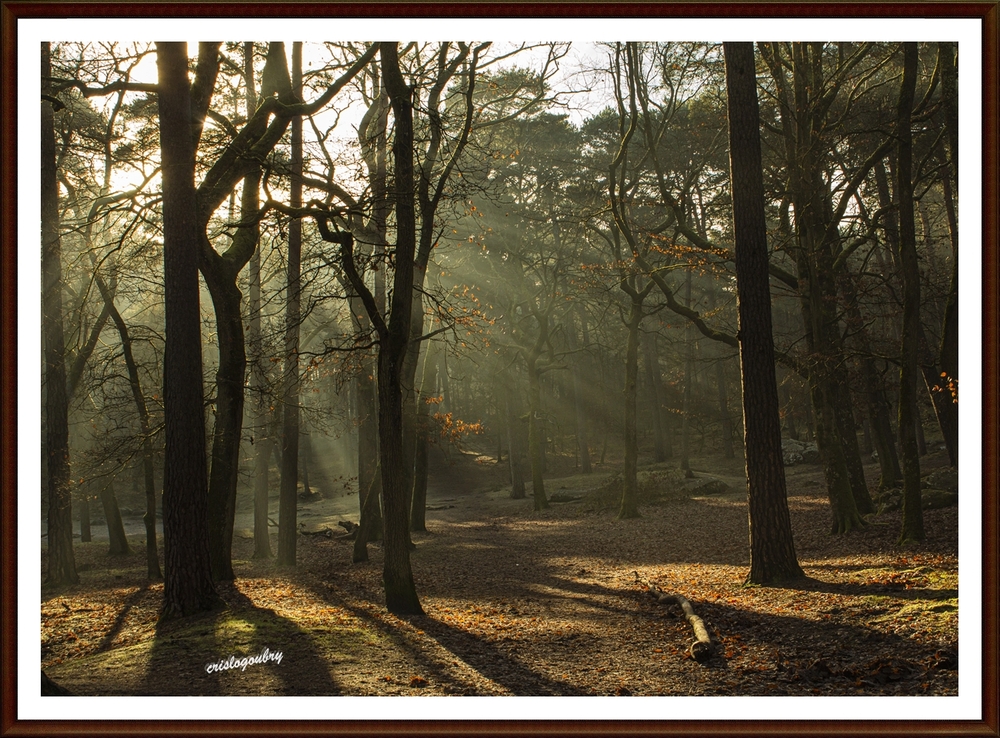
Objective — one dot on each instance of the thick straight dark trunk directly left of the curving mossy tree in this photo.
(188, 586)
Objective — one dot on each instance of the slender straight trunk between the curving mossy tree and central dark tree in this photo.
(288, 502)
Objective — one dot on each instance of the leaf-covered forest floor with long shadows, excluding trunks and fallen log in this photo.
(519, 602)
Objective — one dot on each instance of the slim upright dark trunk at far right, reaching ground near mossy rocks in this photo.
(913, 521)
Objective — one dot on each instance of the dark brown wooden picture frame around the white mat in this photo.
(987, 13)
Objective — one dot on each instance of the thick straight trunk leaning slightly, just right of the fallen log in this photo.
(772, 549)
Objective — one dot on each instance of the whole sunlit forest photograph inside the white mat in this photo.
(469, 368)
